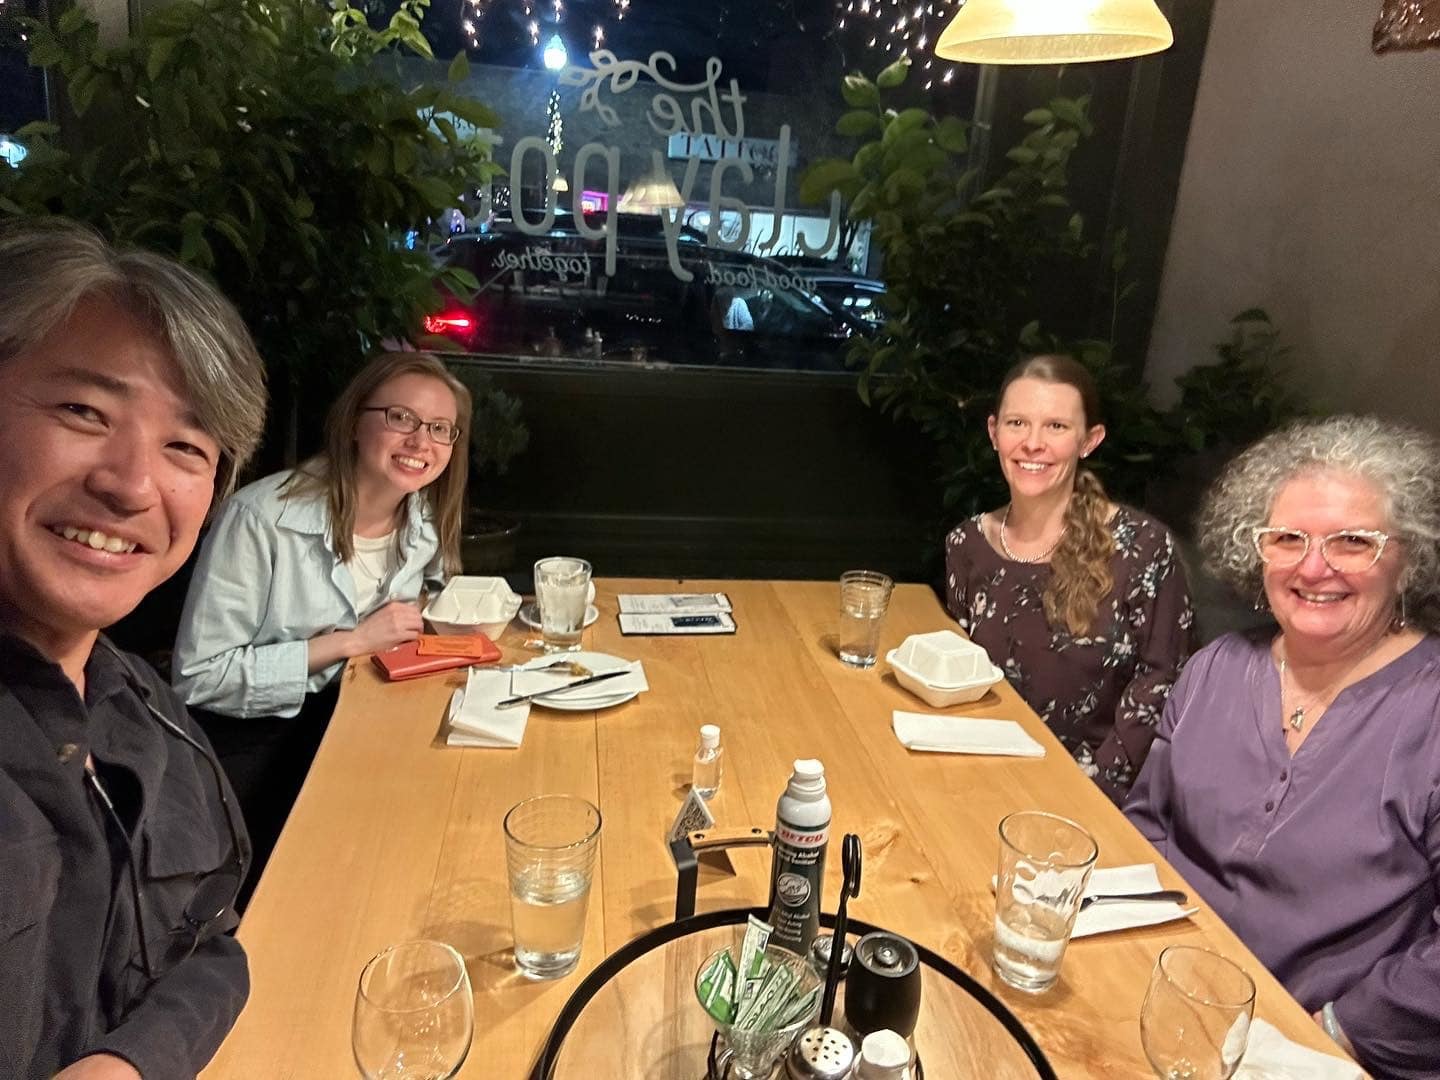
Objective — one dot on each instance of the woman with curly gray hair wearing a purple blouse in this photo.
(1294, 778)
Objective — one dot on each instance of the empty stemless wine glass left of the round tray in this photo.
(415, 1016)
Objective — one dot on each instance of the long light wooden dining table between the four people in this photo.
(397, 836)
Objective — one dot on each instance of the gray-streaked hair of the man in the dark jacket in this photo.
(50, 264)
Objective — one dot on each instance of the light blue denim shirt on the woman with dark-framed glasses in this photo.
(267, 582)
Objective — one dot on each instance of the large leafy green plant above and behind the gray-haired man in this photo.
(263, 143)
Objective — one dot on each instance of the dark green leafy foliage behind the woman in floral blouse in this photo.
(967, 267)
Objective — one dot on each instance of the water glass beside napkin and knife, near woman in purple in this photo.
(1045, 865)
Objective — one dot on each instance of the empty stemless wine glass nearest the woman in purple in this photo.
(1196, 1017)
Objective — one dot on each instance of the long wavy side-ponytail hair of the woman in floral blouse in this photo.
(1081, 567)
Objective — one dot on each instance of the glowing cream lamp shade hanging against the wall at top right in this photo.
(1055, 31)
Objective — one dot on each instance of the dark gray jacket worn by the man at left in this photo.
(73, 981)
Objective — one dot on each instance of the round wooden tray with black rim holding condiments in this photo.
(636, 1016)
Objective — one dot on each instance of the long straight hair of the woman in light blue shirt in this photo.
(333, 470)
